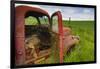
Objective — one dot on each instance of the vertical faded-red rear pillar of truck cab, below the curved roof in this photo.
(19, 38)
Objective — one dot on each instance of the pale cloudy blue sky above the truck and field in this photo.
(75, 13)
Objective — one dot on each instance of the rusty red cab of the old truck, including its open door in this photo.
(38, 31)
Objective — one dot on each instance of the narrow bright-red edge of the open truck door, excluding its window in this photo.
(60, 28)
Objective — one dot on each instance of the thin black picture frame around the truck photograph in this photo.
(45, 3)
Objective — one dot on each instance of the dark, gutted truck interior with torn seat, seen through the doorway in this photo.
(37, 37)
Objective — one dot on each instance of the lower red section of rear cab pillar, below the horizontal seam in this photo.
(20, 51)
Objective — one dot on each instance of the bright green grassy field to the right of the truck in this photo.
(84, 51)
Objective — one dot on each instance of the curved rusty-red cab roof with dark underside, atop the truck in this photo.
(31, 11)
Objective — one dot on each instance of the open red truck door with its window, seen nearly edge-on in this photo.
(57, 27)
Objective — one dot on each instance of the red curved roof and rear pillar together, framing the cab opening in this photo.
(20, 12)
